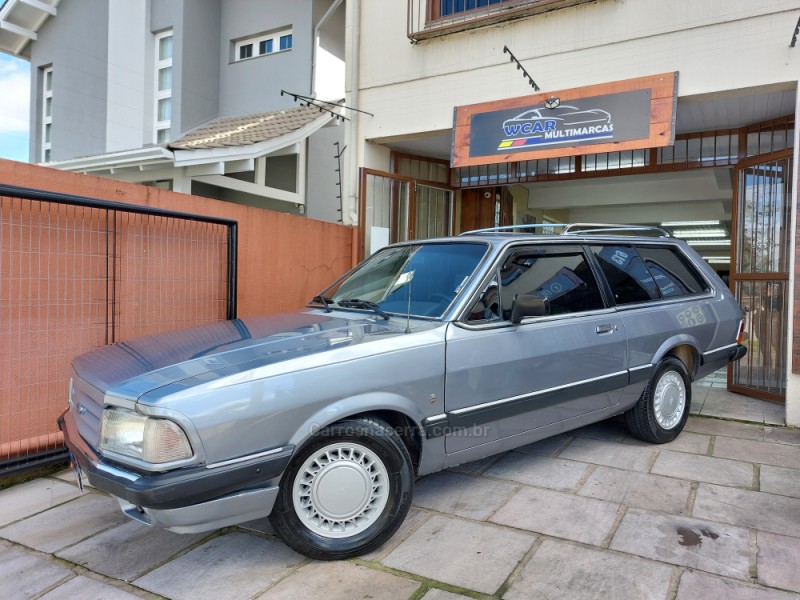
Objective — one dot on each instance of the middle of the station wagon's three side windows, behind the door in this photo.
(626, 273)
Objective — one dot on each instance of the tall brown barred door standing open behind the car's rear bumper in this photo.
(760, 273)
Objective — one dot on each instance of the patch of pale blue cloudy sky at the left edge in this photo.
(14, 107)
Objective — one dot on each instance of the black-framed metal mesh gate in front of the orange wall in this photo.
(78, 273)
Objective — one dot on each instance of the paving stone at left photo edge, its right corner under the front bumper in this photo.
(67, 523)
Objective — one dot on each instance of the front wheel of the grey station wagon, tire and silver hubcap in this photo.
(346, 491)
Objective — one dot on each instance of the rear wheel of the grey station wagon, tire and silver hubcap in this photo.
(663, 408)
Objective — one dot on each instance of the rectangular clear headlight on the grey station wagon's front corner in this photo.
(145, 438)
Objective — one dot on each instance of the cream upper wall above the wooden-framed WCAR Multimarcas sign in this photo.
(715, 45)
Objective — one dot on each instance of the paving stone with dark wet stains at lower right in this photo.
(704, 545)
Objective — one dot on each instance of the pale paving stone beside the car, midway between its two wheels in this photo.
(541, 471)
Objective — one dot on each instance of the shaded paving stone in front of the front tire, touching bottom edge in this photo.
(242, 565)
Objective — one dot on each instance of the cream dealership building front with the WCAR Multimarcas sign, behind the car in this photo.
(679, 115)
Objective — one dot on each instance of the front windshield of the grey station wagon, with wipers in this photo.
(419, 280)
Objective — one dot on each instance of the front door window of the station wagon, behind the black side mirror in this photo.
(561, 276)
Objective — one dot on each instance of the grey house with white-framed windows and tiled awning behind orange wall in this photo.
(187, 95)
